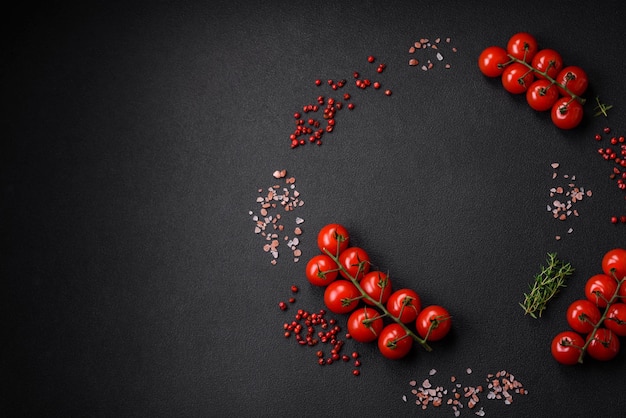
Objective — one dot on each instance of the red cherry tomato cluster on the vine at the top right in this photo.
(541, 75)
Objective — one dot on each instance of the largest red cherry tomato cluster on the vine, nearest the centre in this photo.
(376, 311)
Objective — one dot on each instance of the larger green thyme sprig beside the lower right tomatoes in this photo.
(546, 285)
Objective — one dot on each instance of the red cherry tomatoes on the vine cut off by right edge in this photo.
(600, 316)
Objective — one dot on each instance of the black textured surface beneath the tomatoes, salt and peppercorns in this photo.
(136, 138)
